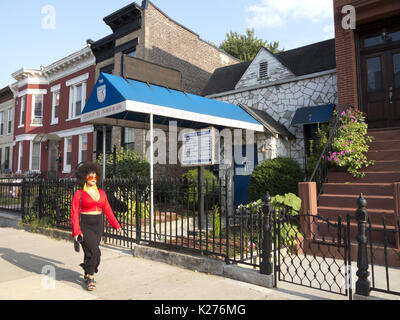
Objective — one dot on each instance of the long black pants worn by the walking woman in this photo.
(92, 229)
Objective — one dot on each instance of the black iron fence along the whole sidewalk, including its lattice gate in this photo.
(302, 249)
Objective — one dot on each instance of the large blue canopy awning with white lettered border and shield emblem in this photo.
(122, 99)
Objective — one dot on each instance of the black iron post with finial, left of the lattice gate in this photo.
(266, 253)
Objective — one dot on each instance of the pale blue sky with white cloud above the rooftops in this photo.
(26, 43)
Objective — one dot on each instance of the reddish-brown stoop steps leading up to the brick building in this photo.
(341, 192)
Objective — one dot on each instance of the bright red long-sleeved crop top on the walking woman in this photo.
(89, 205)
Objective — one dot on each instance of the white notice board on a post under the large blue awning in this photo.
(198, 148)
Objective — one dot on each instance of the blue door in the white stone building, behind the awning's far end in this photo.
(241, 178)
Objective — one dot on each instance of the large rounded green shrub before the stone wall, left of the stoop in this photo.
(276, 176)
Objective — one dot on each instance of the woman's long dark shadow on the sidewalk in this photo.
(41, 265)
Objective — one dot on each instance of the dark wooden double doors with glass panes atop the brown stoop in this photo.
(380, 77)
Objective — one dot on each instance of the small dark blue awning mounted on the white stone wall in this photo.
(310, 115)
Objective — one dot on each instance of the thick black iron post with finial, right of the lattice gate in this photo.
(363, 285)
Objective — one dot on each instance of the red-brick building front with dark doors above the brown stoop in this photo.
(368, 55)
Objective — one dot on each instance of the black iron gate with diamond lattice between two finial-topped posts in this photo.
(313, 252)
